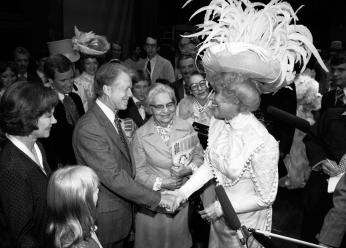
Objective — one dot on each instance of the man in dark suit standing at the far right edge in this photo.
(325, 145)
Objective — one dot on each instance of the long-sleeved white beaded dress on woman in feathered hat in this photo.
(244, 157)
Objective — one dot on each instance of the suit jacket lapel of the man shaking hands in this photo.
(110, 129)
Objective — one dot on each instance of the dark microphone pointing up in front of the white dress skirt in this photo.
(229, 213)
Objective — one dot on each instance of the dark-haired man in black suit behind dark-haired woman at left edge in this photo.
(58, 146)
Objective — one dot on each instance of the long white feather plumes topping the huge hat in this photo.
(269, 30)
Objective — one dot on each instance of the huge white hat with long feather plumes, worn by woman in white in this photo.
(256, 39)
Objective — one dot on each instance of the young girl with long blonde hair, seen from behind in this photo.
(72, 197)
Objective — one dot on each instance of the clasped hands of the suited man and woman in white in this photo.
(172, 200)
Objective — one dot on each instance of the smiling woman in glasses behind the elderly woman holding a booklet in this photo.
(196, 107)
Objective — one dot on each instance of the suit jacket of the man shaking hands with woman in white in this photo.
(98, 145)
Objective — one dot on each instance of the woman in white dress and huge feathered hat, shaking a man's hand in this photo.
(247, 49)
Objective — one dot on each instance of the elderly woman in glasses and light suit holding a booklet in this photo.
(166, 150)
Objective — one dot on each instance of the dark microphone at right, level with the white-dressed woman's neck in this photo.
(288, 118)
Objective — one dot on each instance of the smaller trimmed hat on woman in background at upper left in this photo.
(90, 43)
